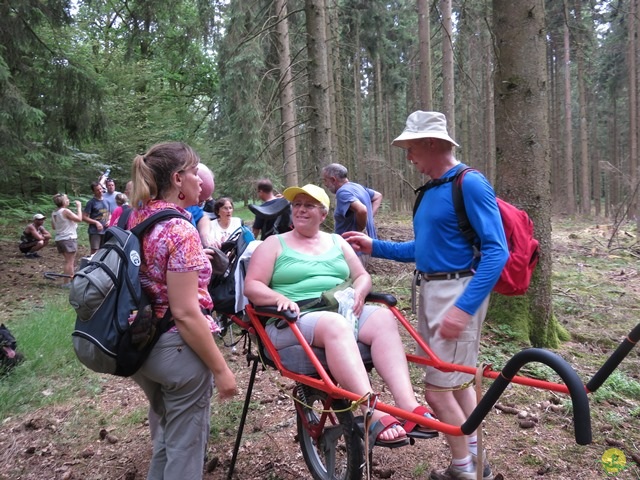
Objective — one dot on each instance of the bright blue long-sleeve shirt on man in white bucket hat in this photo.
(439, 246)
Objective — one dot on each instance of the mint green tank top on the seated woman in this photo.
(299, 276)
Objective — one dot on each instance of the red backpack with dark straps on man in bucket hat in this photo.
(524, 250)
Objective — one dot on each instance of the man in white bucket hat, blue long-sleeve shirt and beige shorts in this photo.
(454, 286)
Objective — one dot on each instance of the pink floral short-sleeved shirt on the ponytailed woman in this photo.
(171, 245)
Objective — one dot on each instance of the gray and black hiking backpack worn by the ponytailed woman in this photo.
(116, 327)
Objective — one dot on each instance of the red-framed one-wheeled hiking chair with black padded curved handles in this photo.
(331, 437)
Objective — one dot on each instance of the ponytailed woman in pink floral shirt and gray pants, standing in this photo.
(178, 376)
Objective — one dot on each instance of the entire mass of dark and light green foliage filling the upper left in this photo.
(85, 93)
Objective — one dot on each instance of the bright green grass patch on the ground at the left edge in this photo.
(50, 373)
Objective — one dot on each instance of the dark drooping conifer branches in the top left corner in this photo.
(51, 98)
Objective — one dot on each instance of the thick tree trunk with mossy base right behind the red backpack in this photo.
(522, 145)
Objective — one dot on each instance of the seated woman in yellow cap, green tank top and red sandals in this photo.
(301, 264)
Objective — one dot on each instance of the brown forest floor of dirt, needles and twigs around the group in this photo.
(65, 442)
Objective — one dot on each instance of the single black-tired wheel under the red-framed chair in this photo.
(331, 446)
